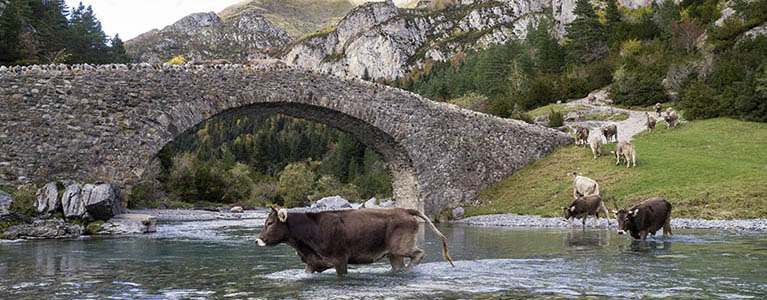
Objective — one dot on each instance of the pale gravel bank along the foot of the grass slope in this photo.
(514, 220)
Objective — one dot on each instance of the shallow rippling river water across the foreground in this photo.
(219, 259)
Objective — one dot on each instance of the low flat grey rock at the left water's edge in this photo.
(44, 229)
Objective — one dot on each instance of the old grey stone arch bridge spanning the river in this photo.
(107, 123)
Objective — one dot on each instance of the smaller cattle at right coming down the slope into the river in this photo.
(646, 217)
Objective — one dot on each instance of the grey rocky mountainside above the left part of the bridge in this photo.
(205, 36)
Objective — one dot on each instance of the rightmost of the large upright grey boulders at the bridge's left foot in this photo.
(102, 201)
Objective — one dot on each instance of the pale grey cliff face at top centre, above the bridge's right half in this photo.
(384, 41)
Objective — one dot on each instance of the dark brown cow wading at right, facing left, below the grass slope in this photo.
(647, 217)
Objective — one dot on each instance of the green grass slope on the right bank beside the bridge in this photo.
(713, 169)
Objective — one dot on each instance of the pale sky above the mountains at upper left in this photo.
(129, 18)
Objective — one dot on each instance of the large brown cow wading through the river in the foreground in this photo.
(334, 239)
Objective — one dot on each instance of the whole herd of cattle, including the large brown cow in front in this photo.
(334, 239)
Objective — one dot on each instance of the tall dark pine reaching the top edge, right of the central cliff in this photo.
(586, 34)
